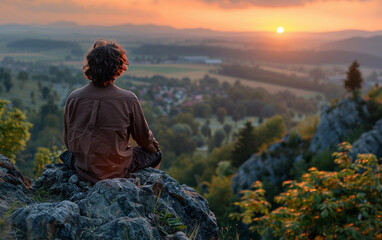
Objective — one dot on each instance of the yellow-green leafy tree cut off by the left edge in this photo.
(13, 130)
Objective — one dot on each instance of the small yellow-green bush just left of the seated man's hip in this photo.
(45, 156)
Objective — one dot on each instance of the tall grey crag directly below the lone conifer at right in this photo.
(337, 122)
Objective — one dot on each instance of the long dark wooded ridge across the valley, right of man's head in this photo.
(297, 57)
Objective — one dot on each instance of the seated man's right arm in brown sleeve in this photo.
(139, 128)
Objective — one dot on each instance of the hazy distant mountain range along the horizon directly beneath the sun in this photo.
(151, 33)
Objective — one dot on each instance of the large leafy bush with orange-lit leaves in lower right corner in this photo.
(342, 204)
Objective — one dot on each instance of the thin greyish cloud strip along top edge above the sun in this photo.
(266, 3)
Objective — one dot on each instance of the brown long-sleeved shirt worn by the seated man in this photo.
(98, 123)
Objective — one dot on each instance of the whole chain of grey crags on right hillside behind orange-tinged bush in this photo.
(336, 123)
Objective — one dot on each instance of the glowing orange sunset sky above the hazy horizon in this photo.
(221, 15)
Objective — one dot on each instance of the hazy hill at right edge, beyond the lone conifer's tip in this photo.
(370, 45)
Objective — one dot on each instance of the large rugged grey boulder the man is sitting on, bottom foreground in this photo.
(149, 191)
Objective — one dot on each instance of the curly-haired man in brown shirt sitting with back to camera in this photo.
(100, 118)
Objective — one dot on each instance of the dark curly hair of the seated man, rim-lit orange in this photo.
(105, 62)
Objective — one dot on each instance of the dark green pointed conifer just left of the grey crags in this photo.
(245, 145)
